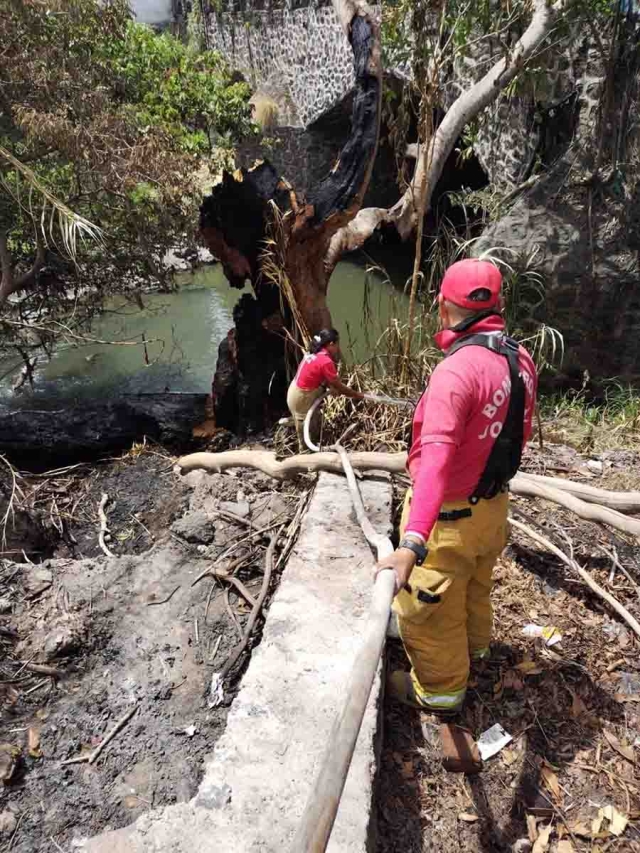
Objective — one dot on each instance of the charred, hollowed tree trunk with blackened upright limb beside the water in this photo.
(265, 233)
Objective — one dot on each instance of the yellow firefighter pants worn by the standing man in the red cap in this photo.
(445, 617)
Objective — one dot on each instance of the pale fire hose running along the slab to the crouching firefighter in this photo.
(323, 801)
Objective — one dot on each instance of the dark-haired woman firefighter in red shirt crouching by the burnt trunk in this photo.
(317, 371)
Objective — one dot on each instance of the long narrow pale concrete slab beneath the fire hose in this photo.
(257, 780)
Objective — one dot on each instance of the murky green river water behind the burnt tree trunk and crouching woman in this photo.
(183, 329)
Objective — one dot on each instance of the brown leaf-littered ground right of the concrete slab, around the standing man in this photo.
(573, 710)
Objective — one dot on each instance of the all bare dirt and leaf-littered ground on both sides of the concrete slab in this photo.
(132, 633)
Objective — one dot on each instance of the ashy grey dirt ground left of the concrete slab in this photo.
(85, 640)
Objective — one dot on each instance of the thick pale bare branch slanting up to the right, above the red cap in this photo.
(434, 156)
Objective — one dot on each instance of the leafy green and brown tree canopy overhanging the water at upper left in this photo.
(104, 117)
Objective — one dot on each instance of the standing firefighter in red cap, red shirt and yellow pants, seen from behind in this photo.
(469, 429)
